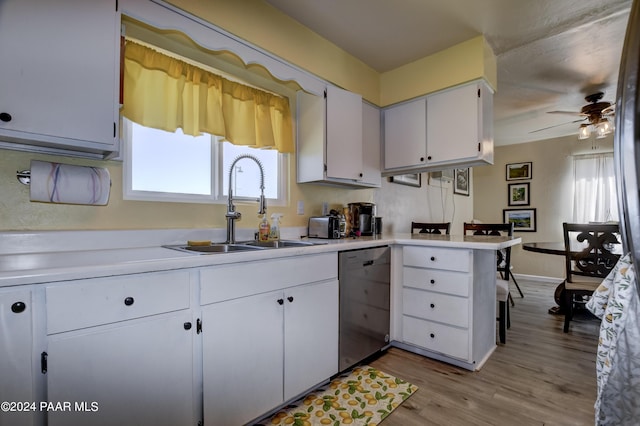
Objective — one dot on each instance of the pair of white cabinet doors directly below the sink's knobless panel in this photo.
(246, 340)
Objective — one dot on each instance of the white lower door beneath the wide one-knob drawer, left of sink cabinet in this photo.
(137, 372)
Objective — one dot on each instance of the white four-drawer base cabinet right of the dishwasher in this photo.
(448, 303)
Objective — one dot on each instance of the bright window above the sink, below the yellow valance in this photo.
(165, 166)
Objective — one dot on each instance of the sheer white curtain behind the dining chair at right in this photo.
(594, 195)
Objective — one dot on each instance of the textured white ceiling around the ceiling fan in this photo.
(550, 53)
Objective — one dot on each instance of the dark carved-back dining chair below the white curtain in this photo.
(588, 260)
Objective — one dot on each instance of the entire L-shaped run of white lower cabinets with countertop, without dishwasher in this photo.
(149, 316)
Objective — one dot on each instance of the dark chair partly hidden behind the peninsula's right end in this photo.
(503, 268)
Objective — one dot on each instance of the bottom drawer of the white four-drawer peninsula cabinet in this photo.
(447, 340)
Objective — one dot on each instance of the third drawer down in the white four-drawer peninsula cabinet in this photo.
(438, 307)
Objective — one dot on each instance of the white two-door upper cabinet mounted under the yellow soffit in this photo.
(451, 128)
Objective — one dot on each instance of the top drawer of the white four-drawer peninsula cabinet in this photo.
(437, 258)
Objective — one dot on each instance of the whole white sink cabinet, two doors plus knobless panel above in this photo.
(262, 350)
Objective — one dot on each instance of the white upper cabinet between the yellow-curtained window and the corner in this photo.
(335, 139)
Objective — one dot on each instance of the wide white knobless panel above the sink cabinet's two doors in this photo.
(245, 279)
